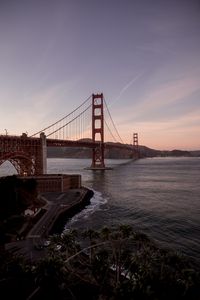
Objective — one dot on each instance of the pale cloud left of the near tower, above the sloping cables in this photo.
(39, 109)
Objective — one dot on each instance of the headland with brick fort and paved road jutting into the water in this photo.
(62, 197)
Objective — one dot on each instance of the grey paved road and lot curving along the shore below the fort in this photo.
(56, 204)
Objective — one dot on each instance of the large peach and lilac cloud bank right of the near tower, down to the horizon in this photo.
(167, 116)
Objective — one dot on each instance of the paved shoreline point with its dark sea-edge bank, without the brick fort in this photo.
(58, 208)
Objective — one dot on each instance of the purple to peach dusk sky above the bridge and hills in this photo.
(143, 55)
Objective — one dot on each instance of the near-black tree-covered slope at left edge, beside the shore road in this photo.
(16, 194)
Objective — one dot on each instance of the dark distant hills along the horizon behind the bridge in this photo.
(116, 152)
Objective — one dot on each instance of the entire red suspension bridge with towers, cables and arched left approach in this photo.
(28, 154)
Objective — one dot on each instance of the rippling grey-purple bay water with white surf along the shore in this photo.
(159, 196)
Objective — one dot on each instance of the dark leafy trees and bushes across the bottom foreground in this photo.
(112, 263)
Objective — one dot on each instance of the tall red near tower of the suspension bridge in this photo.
(98, 132)
